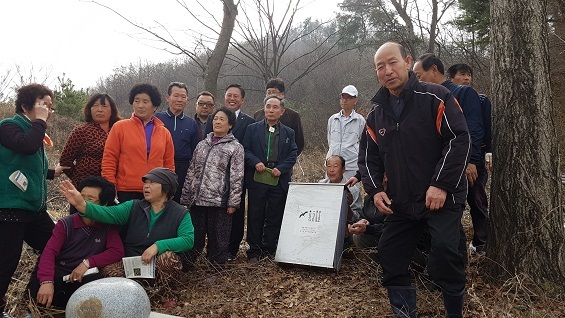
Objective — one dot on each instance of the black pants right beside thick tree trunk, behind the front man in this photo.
(478, 204)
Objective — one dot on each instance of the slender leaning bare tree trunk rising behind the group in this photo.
(216, 59)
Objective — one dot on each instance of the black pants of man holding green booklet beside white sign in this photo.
(264, 218)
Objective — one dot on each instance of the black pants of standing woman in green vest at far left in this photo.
(35, 231)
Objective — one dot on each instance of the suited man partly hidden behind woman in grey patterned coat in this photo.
(234, 98)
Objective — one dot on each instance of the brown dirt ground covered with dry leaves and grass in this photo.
(269, 289)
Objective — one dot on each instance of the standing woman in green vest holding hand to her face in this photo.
(23, 185)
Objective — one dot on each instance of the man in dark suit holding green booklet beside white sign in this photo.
(268, 144)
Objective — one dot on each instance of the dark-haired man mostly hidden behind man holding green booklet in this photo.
(290, 118)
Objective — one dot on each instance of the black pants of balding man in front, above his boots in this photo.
(400, 238)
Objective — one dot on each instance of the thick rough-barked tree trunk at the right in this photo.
(527, 233)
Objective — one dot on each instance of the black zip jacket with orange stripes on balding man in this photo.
(428, 145)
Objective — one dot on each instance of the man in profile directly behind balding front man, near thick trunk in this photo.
(429, 68)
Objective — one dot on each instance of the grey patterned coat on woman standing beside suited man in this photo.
(215, 175)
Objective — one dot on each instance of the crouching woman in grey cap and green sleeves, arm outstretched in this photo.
(156, 226)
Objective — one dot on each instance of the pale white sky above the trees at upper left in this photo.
(86, 41)
